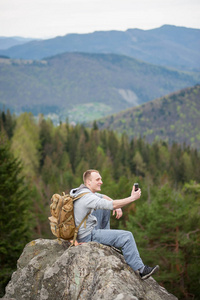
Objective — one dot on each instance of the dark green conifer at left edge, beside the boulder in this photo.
(14, 212)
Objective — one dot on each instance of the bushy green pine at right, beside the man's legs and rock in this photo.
(168, 234)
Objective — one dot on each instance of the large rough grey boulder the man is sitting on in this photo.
(49, 270)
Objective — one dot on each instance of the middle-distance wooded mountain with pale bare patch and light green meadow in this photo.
(84, 86)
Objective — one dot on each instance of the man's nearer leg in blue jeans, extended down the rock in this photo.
(120, 239)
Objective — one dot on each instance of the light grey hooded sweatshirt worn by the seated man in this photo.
(84, 205)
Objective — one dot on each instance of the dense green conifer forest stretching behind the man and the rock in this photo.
(165, 221)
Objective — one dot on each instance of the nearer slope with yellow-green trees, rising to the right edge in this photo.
(175, 117)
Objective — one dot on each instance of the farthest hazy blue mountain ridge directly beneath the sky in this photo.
(171, 46)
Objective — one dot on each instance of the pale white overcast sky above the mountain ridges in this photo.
(50, 18)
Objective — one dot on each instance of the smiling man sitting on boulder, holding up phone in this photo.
(97, 227)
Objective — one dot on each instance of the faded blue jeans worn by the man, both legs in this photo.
(118, 238)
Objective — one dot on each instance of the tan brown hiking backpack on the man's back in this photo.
(62, 222)
